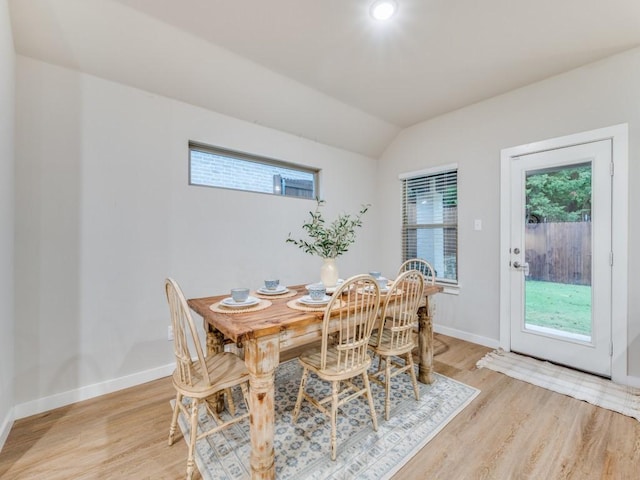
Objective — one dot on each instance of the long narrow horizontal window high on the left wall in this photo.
(216, 167)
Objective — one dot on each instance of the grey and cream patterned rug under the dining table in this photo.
(303, 449)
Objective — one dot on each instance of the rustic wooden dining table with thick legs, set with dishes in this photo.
(263, 335)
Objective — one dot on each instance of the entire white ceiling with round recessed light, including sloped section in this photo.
(435, 56)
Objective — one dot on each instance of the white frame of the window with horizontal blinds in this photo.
(424, 175)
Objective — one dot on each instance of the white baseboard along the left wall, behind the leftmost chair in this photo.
(90, 391)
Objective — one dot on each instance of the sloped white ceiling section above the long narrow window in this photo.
(163, 59)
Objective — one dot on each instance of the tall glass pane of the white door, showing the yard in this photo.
(558, 295)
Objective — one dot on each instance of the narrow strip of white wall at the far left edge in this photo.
(7, 100)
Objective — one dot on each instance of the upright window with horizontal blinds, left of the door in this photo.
(430, 220)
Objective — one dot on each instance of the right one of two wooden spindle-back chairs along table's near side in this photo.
(394, 340)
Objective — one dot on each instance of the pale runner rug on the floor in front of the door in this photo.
(589, 388)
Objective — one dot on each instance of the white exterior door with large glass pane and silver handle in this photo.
(560, 256)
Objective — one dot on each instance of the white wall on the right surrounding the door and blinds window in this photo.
(598, 95)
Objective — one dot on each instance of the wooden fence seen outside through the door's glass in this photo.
(559, 252)
